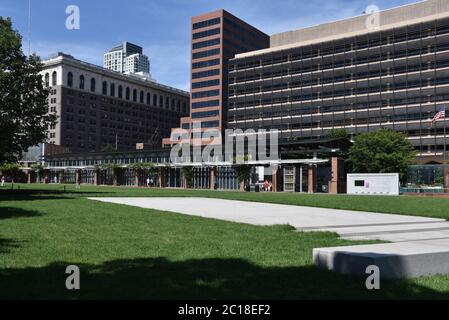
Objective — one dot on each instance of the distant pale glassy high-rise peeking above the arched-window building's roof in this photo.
(127, 58)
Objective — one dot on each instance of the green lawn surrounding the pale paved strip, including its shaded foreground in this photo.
(128, 252)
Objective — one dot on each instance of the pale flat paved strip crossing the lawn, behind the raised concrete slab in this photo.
(348, 224)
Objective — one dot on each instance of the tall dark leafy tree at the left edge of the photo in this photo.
(24, 118)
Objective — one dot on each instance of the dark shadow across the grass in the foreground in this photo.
(160, 278)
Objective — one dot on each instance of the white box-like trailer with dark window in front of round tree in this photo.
(373, 183)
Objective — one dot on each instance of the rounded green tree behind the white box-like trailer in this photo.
(383, 151)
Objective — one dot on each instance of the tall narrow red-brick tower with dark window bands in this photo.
(216, 38)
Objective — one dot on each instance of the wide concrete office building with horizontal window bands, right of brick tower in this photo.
(354, 75)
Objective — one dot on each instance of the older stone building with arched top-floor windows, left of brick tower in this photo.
(97, 107)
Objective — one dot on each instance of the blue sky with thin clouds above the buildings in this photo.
(161, 27)
